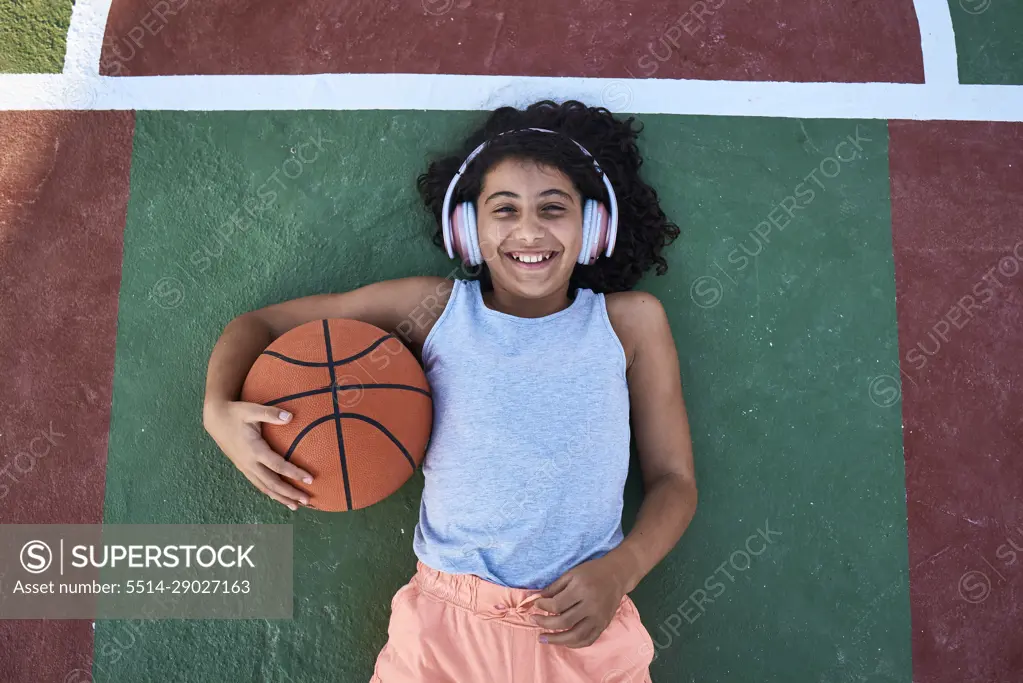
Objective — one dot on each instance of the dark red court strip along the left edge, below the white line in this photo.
(63, 208)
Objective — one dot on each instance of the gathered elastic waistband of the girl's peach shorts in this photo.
(486, 600)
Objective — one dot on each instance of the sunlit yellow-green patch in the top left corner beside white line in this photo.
(33, 35)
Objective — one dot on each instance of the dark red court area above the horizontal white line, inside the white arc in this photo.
(752, 40)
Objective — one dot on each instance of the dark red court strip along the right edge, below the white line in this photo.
(958, 227)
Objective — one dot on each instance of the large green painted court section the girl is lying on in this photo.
(790, 448)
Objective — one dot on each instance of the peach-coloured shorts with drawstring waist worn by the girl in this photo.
(449, 628)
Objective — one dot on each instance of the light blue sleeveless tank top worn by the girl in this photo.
(529, 452)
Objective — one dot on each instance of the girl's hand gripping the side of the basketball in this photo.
(236, 428)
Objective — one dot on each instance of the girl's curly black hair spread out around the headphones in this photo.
(644, 231)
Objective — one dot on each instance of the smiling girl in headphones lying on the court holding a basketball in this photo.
(540, 361)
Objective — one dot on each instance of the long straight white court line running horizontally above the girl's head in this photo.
(415, 92)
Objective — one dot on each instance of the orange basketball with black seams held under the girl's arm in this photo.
(362, 411)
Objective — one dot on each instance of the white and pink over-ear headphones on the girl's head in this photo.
(600, 227)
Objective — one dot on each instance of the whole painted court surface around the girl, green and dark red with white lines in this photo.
(847, 297)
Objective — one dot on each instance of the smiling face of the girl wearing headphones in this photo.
(529, 220)
